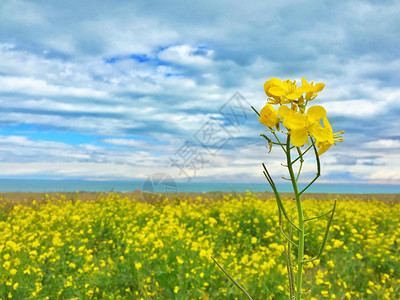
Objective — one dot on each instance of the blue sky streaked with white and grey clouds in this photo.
(121, 90)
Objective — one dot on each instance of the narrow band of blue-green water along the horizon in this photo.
(193, 187)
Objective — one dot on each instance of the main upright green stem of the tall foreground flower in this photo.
(300, 251)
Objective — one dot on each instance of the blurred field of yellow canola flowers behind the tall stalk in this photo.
(120, 248)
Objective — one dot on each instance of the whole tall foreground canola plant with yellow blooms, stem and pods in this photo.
(300, 126)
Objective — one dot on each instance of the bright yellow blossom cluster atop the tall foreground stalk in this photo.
(292, 101)
